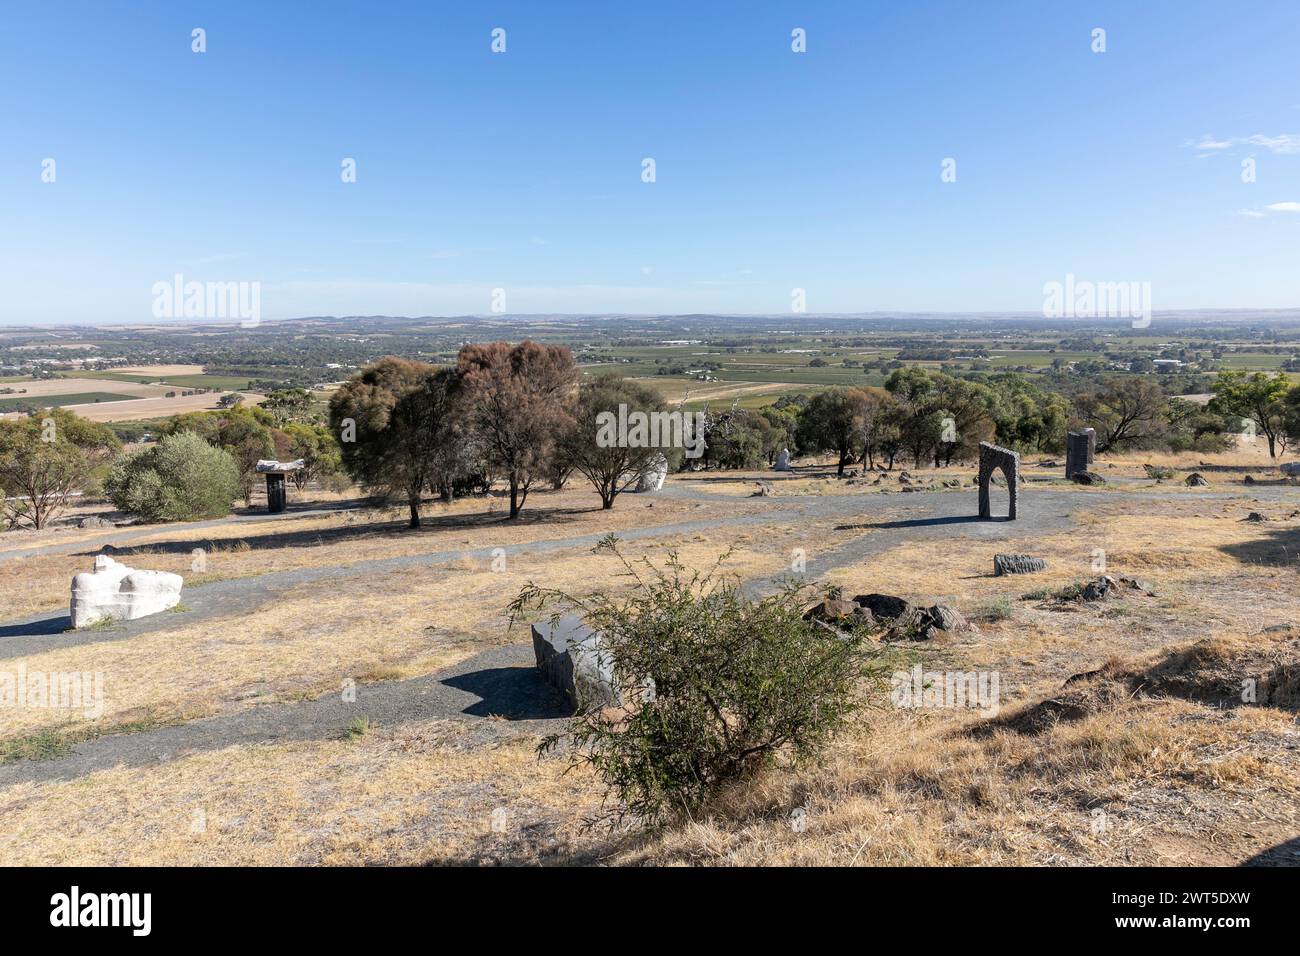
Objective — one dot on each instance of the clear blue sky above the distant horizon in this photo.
(522, 171)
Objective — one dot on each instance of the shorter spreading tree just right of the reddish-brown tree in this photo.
(610, 466)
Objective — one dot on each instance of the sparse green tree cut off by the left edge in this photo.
(45, 458)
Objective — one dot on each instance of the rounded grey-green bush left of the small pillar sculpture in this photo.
(179, 479)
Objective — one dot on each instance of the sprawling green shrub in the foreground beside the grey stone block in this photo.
(723, 686)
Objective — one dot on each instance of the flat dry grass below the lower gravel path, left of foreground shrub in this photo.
(406, 795)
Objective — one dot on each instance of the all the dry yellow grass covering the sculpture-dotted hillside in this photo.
(1138, 781)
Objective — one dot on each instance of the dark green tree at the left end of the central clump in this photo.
(395, 425)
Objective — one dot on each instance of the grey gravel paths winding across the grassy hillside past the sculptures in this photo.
(502, 682)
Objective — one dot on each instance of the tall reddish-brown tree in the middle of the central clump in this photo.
(515, 403)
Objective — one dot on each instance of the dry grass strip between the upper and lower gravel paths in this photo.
(311, 638)
